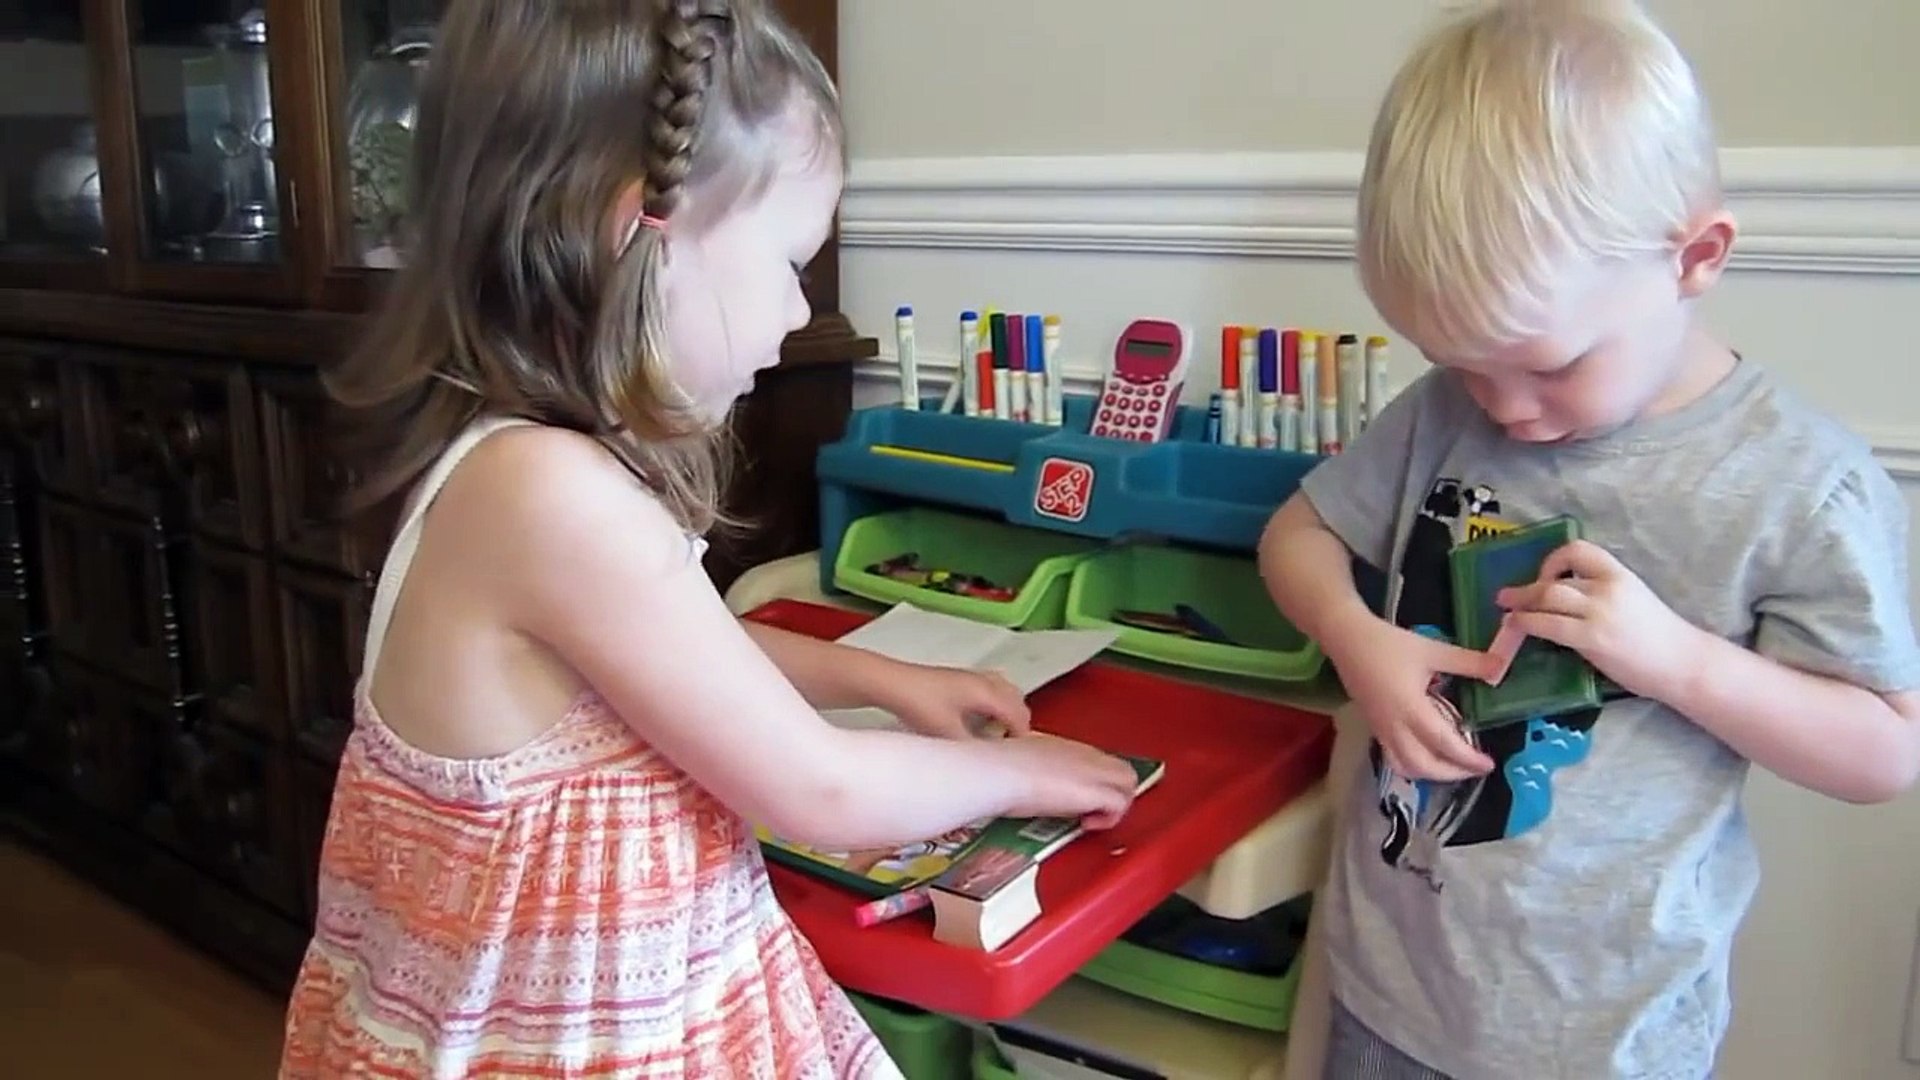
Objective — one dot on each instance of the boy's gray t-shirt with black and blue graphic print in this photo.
(1572, 914)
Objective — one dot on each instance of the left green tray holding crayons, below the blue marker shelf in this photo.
(1034, 562)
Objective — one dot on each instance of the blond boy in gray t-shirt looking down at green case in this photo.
(1556, 898)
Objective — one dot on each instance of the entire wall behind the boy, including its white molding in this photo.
(1149, 201)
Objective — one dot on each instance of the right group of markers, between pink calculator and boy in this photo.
(1301, 391)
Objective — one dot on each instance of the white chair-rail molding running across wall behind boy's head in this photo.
(1802, 209)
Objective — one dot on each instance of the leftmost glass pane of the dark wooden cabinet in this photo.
(51, 203)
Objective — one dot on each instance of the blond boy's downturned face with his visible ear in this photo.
(1616, 347)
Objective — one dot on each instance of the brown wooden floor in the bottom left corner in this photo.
(89, 989)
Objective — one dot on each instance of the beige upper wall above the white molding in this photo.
(928, 78)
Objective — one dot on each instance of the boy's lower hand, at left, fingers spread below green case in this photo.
(1389, 674)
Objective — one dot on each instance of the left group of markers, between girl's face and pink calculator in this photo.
(1009, 370)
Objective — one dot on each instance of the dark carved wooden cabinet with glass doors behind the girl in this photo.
(195, 214)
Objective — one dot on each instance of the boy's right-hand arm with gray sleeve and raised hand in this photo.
(1825, 699)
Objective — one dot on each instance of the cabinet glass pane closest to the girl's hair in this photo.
(381, 49)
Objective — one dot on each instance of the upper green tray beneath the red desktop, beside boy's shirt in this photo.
(1262, 1002)
